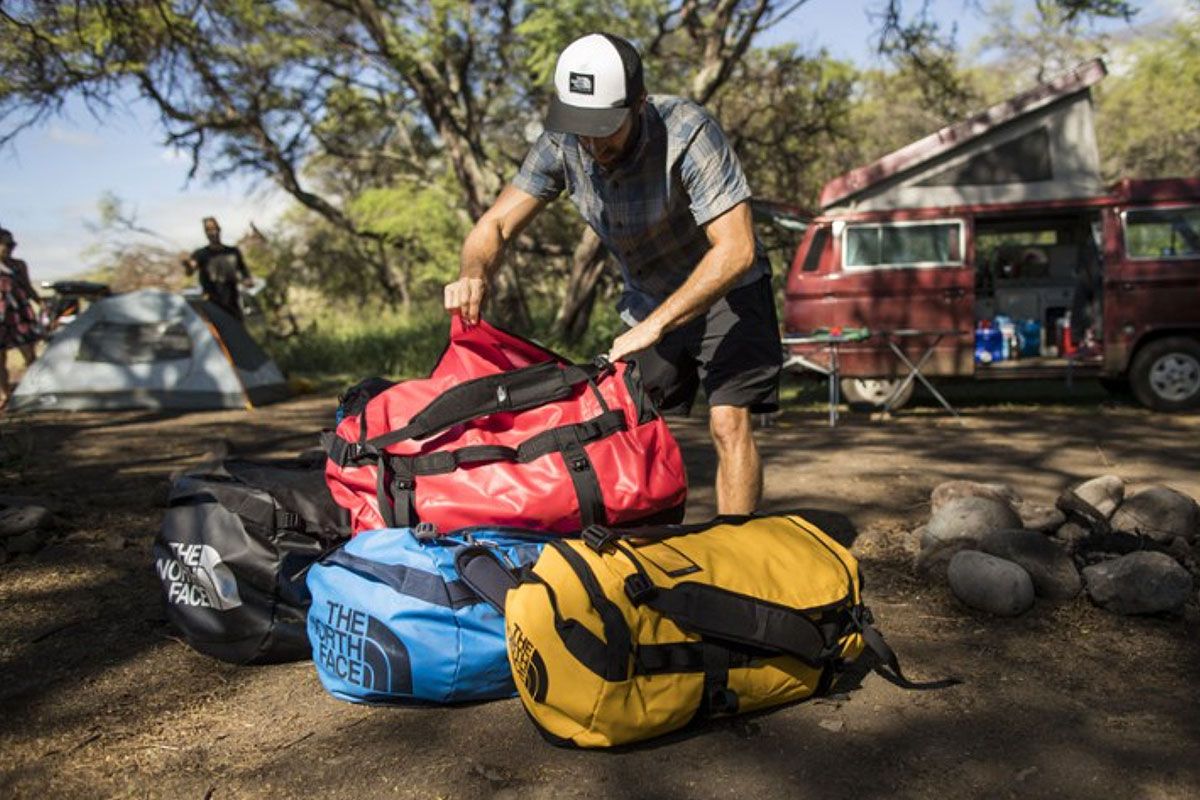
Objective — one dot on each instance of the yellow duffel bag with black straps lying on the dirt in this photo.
(633, 634)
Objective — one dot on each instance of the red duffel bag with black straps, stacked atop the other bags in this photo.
(507, 434)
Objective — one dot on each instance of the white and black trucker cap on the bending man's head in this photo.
(598, 79)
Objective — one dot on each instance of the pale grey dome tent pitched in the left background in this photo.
(155, 351)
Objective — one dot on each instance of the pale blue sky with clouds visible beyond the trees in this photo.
(56, 175)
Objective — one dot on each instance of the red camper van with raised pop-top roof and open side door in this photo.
(998, 236)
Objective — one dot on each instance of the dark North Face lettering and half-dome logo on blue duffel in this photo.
(362, 651)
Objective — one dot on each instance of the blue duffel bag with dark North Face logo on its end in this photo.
(393, 623)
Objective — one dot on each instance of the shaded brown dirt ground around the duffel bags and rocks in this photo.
(99, 699)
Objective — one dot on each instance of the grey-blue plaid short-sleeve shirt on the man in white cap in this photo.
(651, 210)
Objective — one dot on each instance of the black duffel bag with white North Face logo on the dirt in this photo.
(231, 551)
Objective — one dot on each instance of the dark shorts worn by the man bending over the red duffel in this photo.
(734, 352)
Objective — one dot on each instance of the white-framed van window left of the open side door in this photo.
(903, 244)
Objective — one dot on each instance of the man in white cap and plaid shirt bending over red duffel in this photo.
(657, 181)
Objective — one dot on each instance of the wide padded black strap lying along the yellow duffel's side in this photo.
(725, 616)
